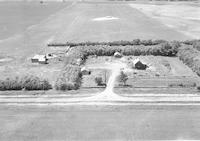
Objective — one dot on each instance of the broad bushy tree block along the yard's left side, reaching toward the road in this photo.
(69, 79)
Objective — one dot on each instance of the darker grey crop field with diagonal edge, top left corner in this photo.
(16, 17)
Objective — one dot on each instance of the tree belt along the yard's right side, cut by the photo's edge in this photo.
(191, 57)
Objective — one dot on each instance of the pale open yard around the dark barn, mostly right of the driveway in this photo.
(164, 75)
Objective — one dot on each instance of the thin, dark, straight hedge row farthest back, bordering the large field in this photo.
(114, 43)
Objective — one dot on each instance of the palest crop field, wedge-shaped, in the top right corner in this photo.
(183, 17)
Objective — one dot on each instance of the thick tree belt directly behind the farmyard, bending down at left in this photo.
(78, 55)
